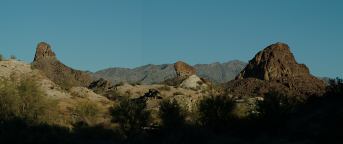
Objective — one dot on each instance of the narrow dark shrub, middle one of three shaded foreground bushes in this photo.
(171, 114)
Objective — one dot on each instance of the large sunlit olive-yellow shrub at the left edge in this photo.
(24, 100)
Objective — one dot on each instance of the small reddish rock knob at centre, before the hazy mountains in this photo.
(183, 69)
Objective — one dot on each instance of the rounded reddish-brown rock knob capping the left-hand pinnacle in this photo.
(43, 50)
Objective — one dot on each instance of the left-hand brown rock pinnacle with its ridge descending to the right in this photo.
(45, 60)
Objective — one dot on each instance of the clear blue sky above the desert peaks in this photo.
(97, 34)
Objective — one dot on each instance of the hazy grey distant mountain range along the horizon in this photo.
(150, 74)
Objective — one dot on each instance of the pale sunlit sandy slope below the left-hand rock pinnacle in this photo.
(66, 101)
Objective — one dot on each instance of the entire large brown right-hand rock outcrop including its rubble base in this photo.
(275, 69)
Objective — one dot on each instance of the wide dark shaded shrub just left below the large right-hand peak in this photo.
(215, 112)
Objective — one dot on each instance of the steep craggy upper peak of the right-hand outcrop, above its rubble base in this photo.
(273, 63)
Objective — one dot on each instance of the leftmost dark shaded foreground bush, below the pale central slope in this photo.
(131, 115)
